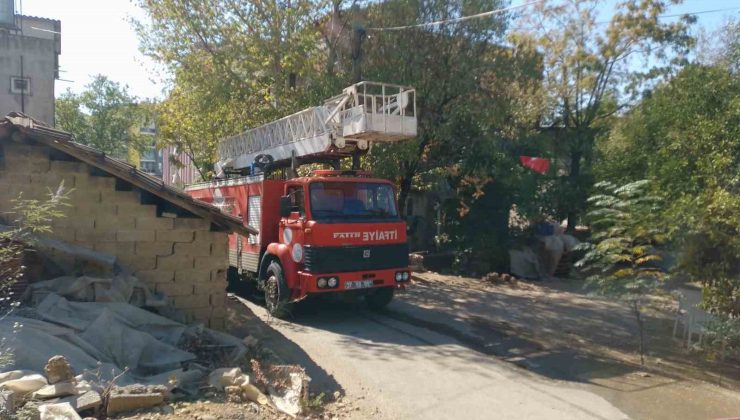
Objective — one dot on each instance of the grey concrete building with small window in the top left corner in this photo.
(29, 63)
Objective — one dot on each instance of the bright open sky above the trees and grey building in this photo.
(97, 38)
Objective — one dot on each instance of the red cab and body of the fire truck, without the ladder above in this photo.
(342, 232)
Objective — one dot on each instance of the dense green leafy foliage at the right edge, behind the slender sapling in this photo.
(685, 137)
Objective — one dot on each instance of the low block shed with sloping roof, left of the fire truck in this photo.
(170, 241)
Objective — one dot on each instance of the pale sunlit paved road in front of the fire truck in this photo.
(394, 370)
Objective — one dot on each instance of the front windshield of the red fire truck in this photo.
(352, 200)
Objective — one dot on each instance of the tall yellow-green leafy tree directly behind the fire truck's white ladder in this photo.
(235, 65)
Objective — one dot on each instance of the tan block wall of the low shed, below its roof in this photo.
(179, 257)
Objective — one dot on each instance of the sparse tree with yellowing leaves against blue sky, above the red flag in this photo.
(592, 73)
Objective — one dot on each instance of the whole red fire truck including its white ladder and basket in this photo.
(331, 230)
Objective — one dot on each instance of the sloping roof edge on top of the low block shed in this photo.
(63, 141)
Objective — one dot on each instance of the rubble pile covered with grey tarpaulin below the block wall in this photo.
(92, 346)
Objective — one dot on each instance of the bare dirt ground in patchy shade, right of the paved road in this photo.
(558, 313)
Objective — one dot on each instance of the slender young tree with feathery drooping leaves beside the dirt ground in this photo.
(622, 259)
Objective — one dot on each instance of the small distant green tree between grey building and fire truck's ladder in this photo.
(104, 116)
